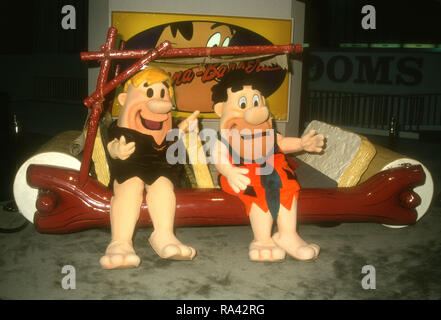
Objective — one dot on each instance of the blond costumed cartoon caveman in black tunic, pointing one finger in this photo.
(137, 149)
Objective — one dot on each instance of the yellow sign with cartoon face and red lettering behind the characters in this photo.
(193, 79)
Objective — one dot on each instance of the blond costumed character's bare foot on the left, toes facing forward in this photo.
(120, 255)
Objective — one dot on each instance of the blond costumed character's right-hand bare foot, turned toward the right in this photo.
(167, 246)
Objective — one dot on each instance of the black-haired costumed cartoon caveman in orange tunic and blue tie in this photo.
(252, 166)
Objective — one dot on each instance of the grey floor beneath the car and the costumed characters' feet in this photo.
(406, 261)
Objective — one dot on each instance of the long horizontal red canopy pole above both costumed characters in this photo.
(197, 52)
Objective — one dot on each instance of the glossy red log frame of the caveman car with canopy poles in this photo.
(70, 200)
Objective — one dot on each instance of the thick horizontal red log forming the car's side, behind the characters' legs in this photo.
(64, 205)
